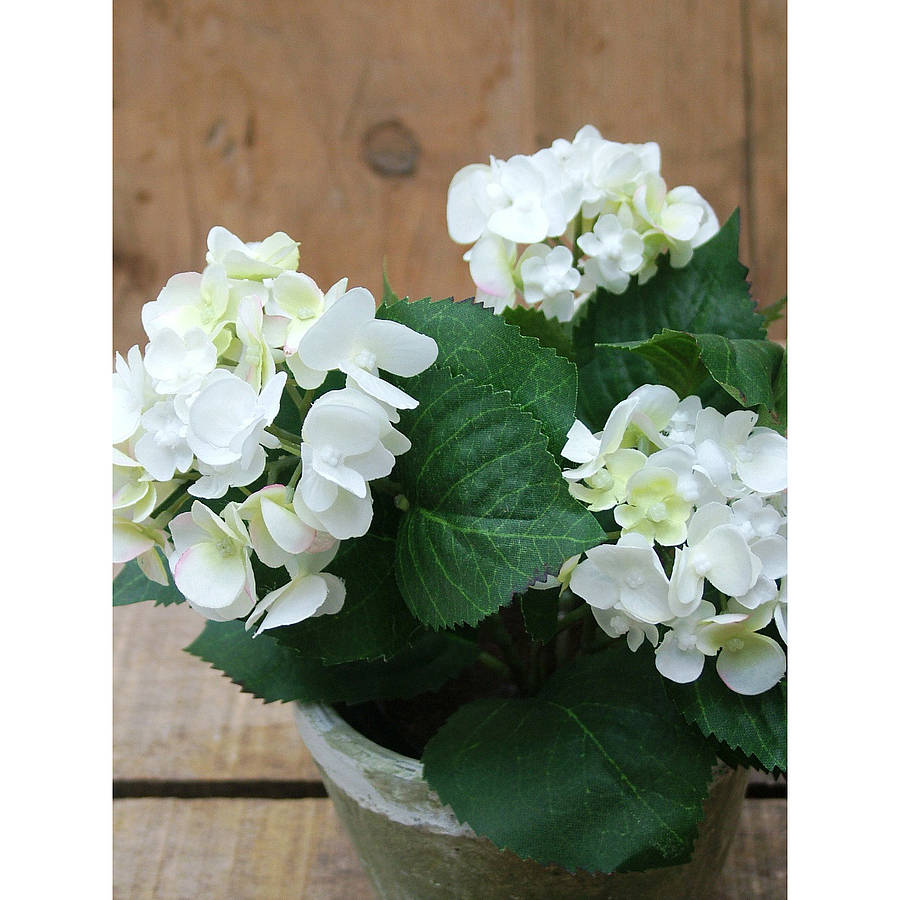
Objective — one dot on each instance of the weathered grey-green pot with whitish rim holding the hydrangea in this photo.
(411, 846)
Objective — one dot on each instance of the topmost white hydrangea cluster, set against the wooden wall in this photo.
(591, 212)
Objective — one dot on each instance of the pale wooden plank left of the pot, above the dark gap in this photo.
(175, 717)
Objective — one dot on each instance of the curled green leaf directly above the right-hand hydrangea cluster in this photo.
(747, 369)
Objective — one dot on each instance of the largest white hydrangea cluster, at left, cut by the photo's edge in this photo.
(194, 417)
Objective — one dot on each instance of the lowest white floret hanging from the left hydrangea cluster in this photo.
(310, 593)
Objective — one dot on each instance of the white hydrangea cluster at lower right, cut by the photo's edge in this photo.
(710, 492)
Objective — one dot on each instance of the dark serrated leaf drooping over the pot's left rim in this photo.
(271, 671)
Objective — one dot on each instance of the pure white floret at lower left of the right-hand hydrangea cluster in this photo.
(626, 576)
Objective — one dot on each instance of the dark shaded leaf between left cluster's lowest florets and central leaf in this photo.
(374, 621)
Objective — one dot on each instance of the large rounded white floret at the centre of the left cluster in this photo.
(227, 418)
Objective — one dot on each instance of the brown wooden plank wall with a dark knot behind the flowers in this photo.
(342, 123)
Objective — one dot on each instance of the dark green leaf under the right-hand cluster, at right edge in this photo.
(757, 726)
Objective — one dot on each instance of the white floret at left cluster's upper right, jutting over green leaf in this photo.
(349, 337)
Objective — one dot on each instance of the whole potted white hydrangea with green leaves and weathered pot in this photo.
(520, 560)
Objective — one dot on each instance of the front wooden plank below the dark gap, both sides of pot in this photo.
(243, 849)
